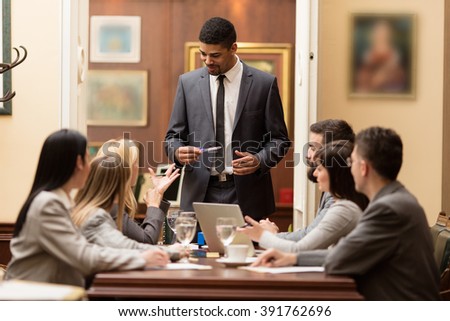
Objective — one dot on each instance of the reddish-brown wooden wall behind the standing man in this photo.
(166, 26)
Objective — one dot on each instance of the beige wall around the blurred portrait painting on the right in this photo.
(418, 121)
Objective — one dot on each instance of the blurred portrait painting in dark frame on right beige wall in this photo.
(382, 60)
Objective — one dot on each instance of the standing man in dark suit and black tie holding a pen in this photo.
(227, 127)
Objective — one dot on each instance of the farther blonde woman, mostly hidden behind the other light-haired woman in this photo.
(149, 230)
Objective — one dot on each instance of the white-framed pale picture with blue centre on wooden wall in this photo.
(115, 39)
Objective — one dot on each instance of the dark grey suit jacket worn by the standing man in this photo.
(259, 128)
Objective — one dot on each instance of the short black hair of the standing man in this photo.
(218, 31)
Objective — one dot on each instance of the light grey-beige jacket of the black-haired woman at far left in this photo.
(51, 249)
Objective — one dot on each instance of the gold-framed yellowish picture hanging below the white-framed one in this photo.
(117, 98)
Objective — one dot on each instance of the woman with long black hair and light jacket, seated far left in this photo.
(46, 245)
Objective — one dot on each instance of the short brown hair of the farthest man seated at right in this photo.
(333, 129)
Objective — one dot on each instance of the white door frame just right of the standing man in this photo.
(305, 102)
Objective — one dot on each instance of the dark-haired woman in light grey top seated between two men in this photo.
(334, 176)
